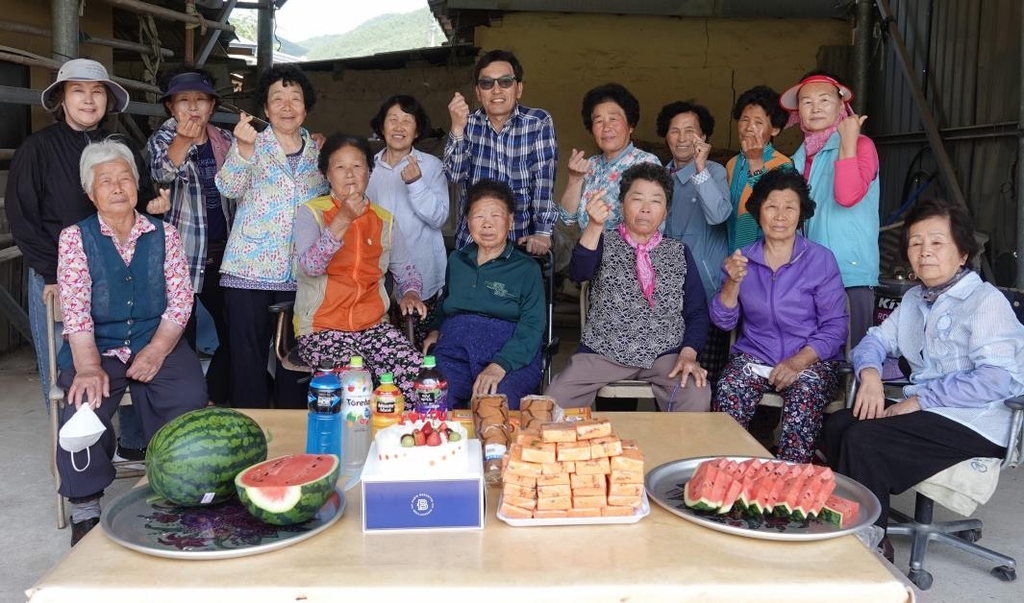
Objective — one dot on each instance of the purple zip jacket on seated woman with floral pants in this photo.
(801, 305)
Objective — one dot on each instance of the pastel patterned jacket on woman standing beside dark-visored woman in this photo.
(260, 247)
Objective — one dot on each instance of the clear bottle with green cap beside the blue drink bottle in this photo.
(357, 389)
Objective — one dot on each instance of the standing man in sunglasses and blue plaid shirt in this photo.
(505, 142)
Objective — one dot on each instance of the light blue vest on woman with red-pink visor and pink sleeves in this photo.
(851, 233)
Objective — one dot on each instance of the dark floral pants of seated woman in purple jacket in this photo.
(740, 392)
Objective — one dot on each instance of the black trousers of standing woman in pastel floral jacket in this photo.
(250, 333)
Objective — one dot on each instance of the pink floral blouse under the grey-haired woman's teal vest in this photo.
(75, 282)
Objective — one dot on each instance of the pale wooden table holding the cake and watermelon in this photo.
(663, 557)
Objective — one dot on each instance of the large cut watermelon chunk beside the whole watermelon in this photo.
(288, 490)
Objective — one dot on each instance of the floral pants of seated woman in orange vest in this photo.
(385, 350)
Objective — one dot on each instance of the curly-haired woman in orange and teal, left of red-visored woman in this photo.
(759, 120)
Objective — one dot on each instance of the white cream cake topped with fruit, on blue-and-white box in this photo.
(422, 443)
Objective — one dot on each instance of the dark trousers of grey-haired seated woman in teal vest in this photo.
(178, 389)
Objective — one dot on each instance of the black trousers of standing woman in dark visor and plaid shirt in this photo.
(212, 296)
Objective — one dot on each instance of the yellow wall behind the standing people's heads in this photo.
(660, 60)
